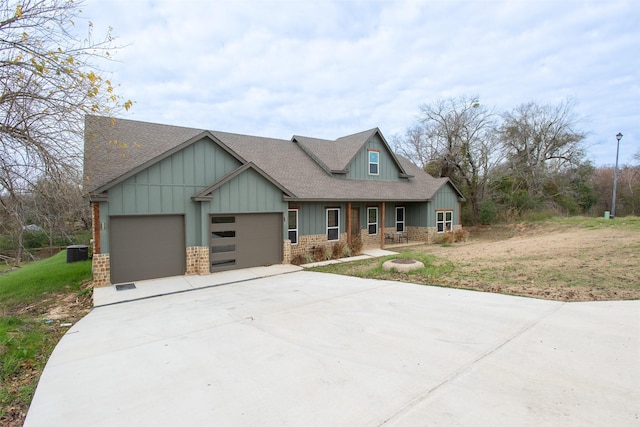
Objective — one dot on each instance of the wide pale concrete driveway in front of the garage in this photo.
(313, 349)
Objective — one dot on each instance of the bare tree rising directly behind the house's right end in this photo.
(455, 138)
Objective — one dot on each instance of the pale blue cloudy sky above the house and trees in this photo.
(327, 68)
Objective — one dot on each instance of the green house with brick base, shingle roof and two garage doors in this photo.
(171, 200)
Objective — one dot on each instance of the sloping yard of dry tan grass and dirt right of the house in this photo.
(549, 260)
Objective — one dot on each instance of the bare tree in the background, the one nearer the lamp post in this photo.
(541, 140)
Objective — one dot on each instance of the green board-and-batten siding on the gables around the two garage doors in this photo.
(166, 187)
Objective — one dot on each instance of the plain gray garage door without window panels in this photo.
(146, 247)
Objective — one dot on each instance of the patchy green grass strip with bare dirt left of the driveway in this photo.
(36, 301)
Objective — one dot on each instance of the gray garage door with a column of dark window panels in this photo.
(247, 240)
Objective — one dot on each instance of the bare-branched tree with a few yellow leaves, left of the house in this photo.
(49, 79)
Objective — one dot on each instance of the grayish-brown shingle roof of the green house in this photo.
(116, 149)
